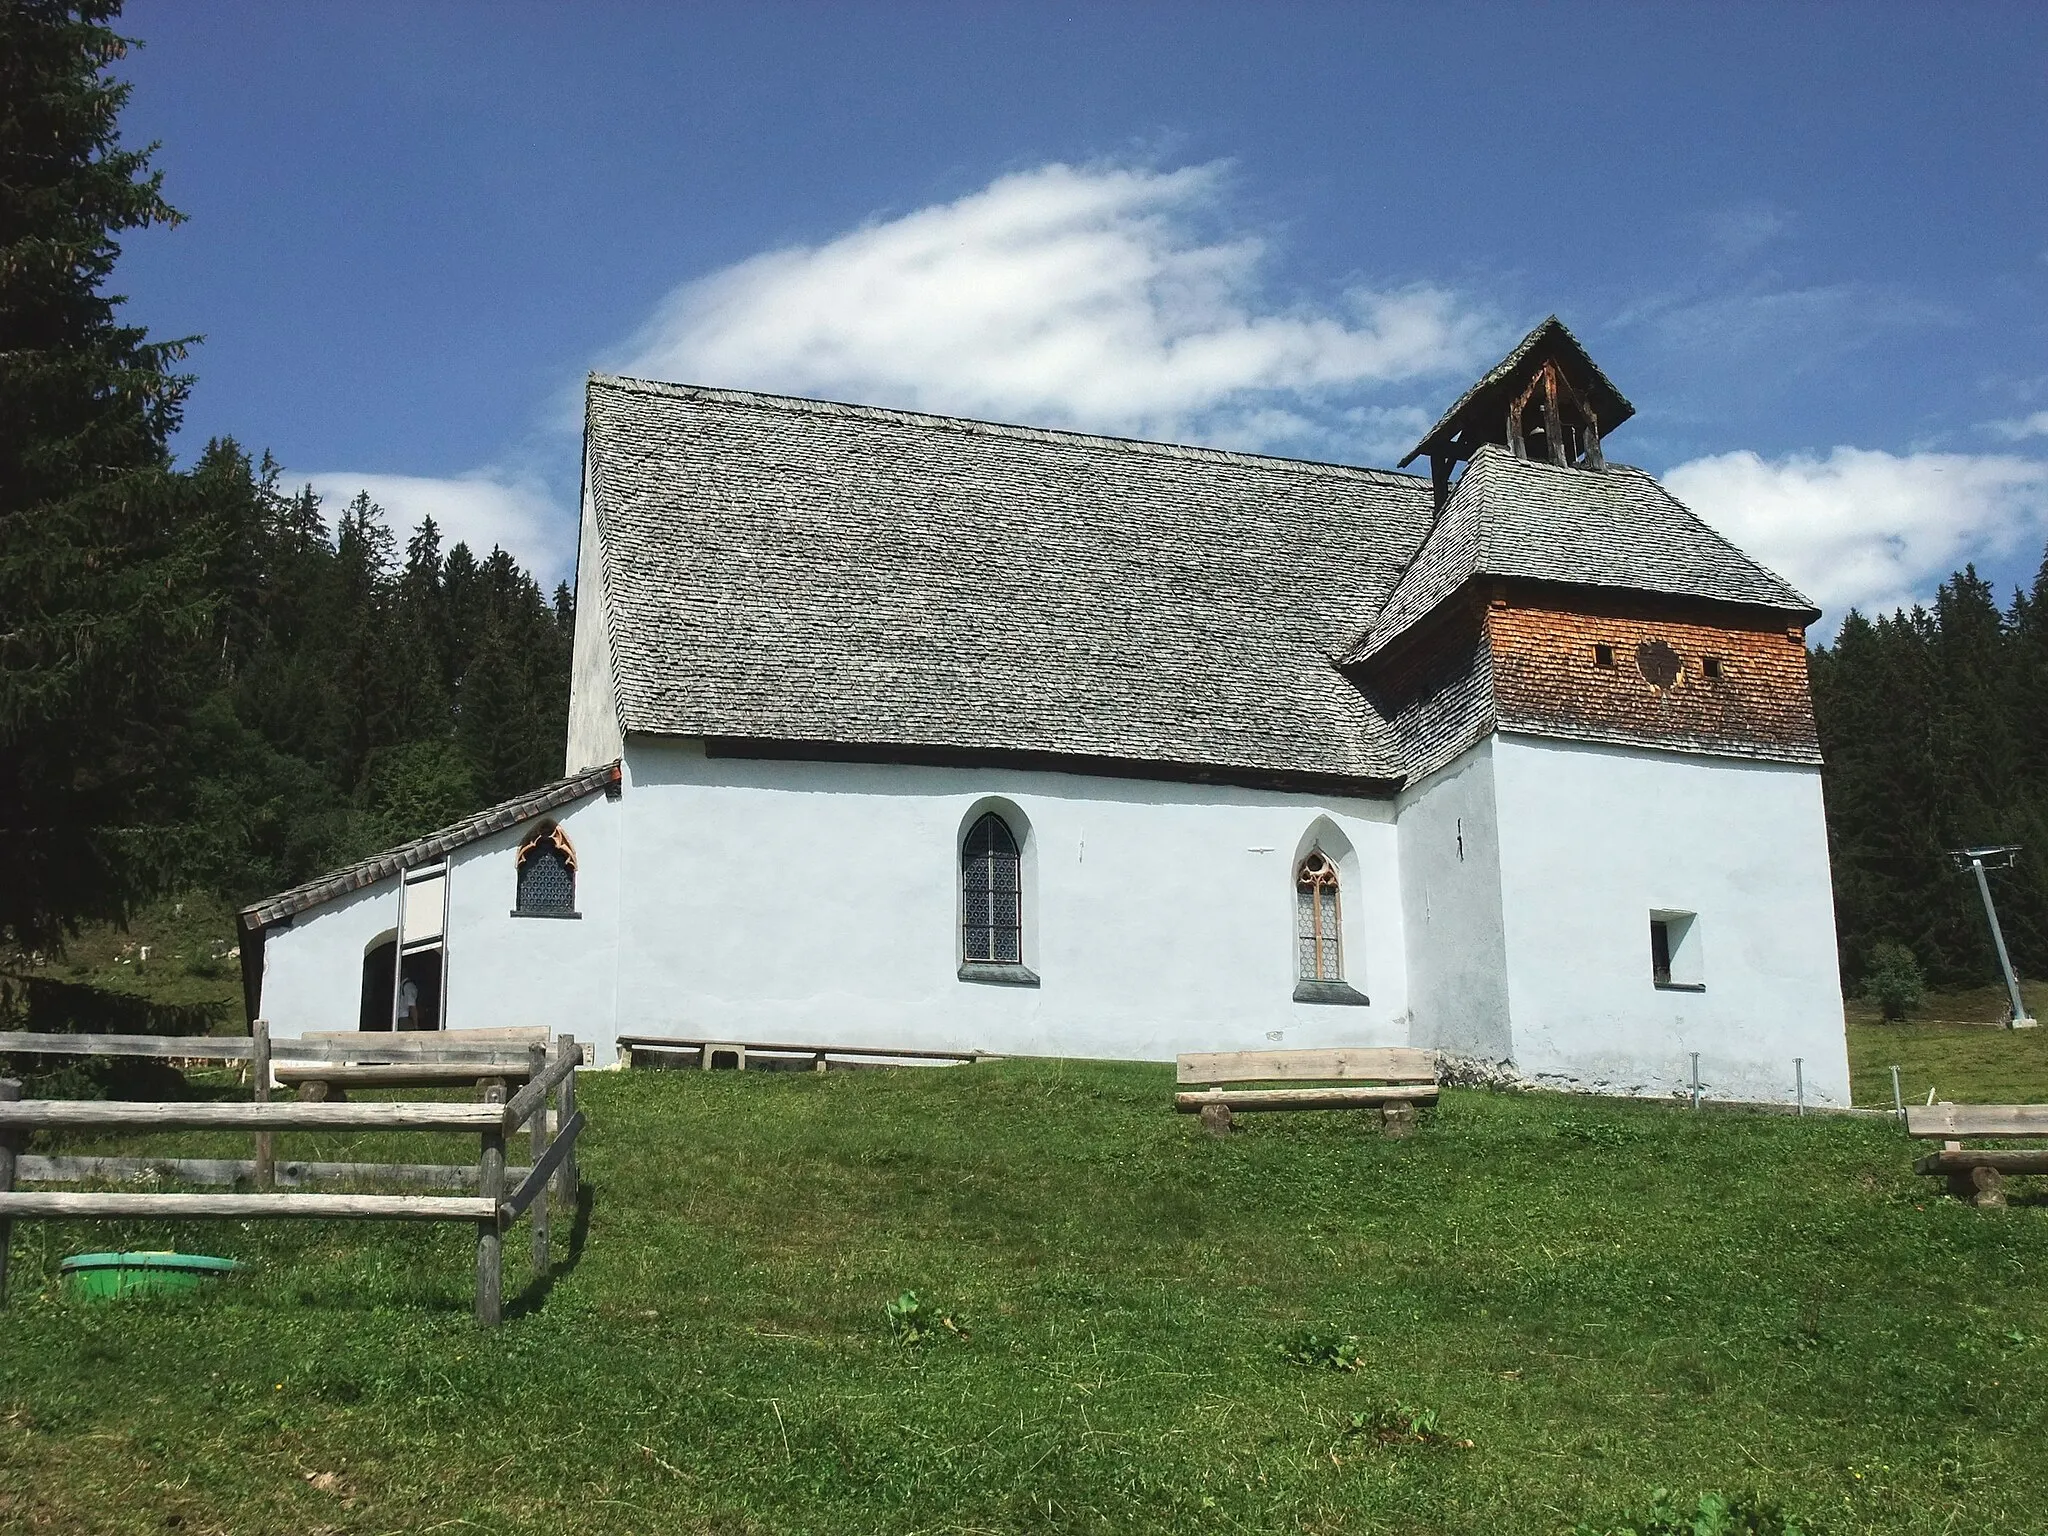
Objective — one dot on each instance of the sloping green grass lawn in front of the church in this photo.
(1603, 1297)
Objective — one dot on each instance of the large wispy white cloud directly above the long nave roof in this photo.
(1060, 296)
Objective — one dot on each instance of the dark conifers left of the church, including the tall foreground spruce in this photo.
(208, 681)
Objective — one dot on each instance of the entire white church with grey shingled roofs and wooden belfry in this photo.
(896, 730)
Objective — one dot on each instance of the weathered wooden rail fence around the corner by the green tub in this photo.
(501, 1195)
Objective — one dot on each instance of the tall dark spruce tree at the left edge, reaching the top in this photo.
(103, 556)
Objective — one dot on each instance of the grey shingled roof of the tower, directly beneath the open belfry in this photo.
(1537, 521)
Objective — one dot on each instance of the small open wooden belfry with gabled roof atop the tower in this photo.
(1547, 400)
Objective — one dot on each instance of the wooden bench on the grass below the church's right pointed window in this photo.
(1392, 1078)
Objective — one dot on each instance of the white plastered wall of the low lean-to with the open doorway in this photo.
(499, 970)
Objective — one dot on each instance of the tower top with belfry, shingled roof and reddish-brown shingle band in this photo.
(1566, 597)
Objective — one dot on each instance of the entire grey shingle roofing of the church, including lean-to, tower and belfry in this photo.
(806, 574)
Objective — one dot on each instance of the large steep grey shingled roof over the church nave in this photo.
(792, 570)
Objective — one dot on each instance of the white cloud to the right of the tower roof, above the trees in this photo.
(1865, 529)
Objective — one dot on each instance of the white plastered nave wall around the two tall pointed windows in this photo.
(818, 904)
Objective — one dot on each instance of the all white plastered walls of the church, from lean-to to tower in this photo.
(1504, 914)
